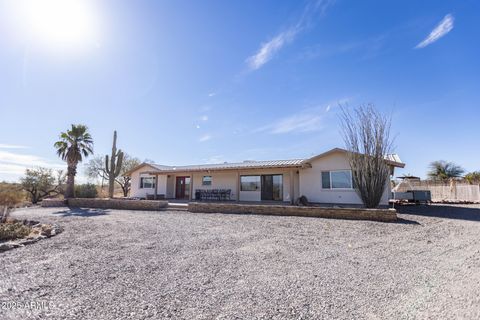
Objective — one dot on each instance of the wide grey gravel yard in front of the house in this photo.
(137, 265)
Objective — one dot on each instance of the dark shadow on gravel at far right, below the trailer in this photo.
(442, 211)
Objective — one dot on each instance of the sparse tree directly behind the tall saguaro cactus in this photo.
(95, 168)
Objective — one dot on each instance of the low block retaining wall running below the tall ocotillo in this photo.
(385, 215)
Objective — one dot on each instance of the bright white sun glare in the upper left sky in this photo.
(59, 24)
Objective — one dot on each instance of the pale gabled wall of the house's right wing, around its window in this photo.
(311, 182)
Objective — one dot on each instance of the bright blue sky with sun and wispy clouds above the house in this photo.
(189, 82)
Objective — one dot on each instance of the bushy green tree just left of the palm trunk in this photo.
(41, 183)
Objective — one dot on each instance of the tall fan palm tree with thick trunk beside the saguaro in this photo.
(73, 146)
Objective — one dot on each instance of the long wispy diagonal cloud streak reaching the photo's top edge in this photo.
(268, 49)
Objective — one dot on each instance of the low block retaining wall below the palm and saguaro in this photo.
(106, 203)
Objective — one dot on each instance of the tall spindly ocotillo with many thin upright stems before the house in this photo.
(366, 133)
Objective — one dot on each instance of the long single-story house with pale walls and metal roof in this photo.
(325, 178)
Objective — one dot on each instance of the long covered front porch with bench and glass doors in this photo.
(279, 185)
